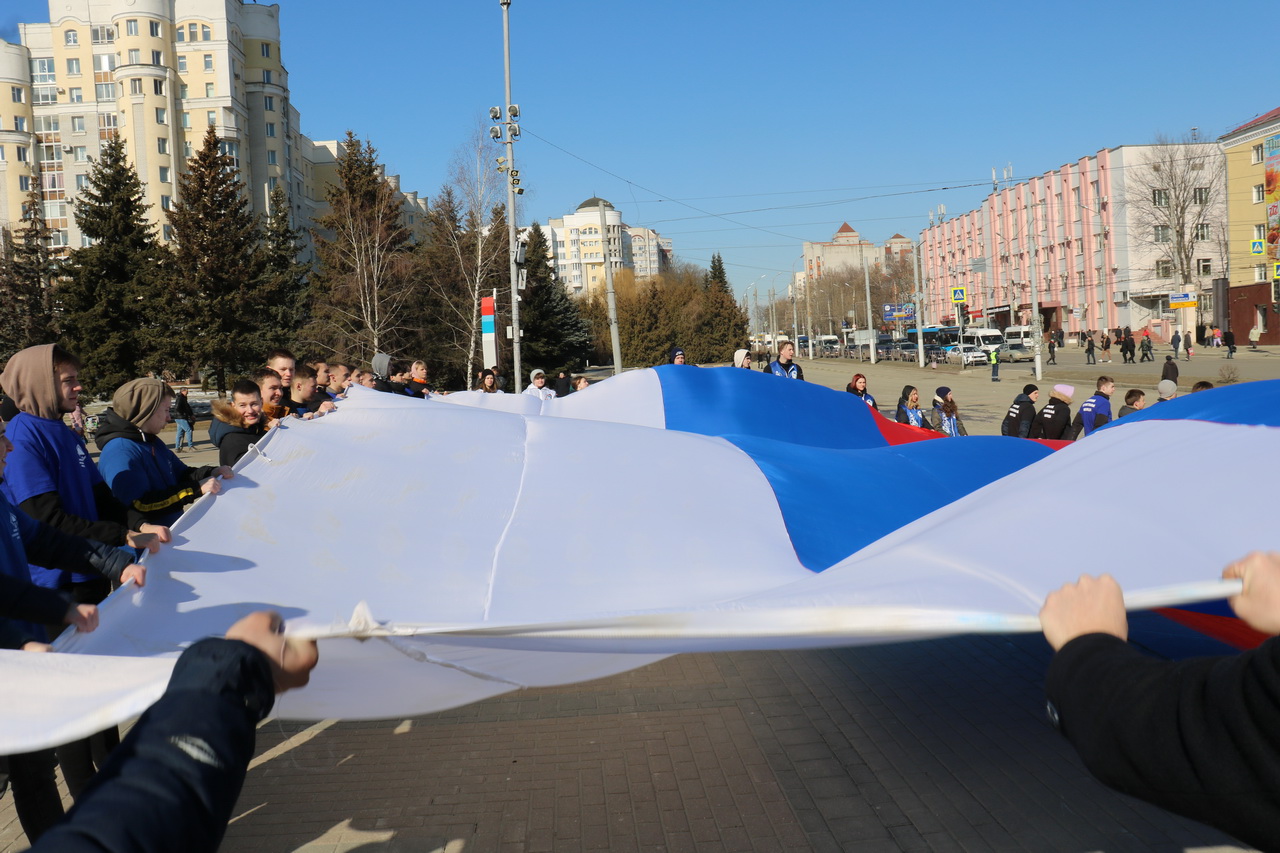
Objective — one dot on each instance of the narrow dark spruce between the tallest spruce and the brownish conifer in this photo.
(284, 295)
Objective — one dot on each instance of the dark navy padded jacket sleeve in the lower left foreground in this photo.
(175, 781)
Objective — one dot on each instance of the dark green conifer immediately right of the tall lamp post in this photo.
(556, 337)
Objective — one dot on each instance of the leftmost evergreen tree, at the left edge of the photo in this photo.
(28, 275)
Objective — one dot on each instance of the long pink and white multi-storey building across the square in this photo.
(1075, 235)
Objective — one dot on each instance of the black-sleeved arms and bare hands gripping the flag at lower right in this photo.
(1199, 737)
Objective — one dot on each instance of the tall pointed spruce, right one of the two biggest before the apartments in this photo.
(213, 314)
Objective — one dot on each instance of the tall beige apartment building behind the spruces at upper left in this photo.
(159, 74)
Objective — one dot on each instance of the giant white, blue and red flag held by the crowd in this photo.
(455, 549)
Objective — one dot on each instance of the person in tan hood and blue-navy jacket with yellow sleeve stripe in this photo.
(141, 471)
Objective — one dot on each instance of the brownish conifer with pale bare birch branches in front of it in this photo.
(365, 281)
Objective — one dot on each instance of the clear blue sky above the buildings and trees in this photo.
(749, 127)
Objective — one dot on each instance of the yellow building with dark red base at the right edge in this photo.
(1252, 298)
